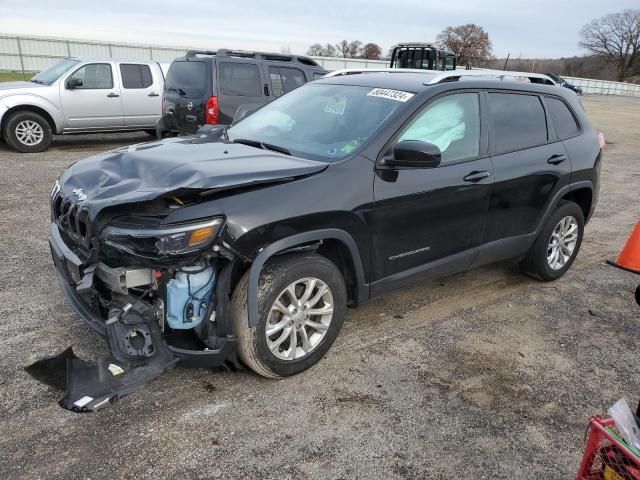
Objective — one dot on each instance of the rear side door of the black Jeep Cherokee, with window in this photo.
(531, 164)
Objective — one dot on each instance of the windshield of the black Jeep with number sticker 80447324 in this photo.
(320, 121)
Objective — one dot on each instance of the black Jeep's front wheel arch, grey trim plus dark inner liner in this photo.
(335, 244)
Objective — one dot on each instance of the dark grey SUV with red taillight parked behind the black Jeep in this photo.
(206, 87)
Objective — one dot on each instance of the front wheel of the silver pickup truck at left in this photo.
(23, 128)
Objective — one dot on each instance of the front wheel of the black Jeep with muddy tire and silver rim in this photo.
(278, 274)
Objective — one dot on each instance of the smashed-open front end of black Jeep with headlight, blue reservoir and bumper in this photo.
(169, 305)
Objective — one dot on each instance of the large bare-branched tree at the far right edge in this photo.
(615, 38)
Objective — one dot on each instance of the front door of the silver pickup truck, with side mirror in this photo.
(95, 102)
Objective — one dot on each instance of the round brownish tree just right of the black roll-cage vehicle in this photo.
(470, 43)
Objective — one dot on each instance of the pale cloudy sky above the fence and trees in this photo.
(527, 29)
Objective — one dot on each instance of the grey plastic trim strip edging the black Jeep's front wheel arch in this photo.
(283, 244)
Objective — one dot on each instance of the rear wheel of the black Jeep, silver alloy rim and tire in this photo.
(537, 263)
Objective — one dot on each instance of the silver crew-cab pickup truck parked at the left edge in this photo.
(79, 95)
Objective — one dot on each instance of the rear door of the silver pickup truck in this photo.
(140, 93)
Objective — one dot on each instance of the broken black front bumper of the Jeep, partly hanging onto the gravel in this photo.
(135, 333)
